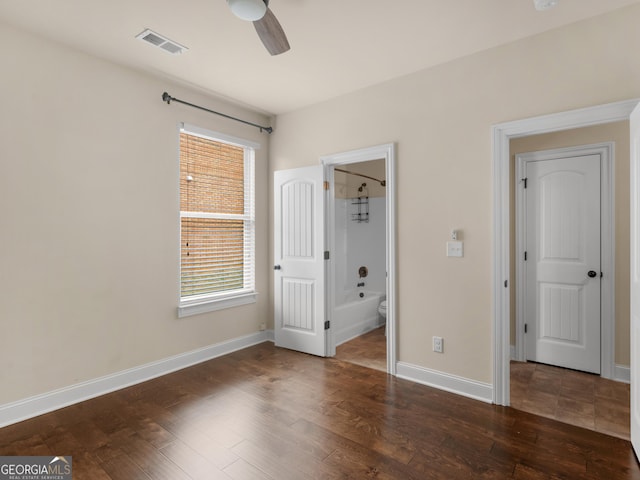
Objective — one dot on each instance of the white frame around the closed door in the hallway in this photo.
(606, 151)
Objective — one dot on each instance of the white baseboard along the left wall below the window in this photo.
(47, 402)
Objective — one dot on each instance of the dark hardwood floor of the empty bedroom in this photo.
(268, 413)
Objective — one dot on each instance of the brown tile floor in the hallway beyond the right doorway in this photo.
(577, 398)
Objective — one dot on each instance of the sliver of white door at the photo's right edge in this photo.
(635, 280)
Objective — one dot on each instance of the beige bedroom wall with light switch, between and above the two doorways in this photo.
(441, 121)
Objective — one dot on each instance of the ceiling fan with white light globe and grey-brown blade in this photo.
(264, 21)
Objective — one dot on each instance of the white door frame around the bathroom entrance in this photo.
(386, 152)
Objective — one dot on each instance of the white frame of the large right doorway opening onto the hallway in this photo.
(501, 134)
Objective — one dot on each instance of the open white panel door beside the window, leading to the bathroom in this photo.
(299, 286)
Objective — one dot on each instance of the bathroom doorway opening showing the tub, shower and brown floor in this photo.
(360, 281)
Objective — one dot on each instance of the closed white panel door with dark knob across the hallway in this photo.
(562, 304)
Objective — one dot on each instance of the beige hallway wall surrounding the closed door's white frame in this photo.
(614, 132)
